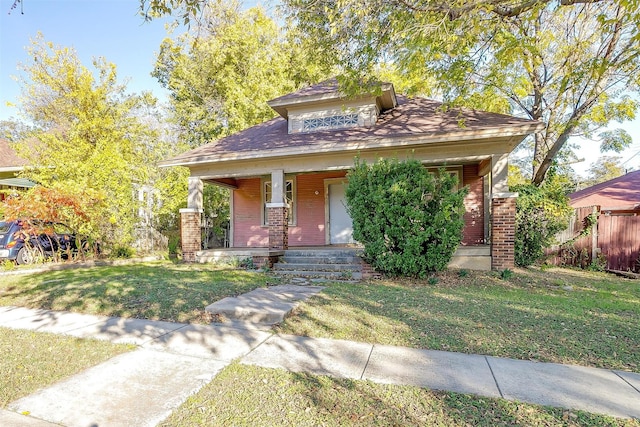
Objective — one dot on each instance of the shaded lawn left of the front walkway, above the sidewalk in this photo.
(157, 291)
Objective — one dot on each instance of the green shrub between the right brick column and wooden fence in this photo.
(541, 212)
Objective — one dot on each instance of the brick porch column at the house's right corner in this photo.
(503, 230)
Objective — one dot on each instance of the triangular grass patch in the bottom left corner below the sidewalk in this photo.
(30, 361)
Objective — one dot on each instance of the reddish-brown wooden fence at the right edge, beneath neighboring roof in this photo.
(614, 240)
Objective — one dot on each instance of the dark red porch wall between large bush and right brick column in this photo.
(473, 233)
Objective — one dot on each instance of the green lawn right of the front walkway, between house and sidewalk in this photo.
(558, 315)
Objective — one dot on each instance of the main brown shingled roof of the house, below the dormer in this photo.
(415, 118)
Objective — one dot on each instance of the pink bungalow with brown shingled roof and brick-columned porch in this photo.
(287, 175)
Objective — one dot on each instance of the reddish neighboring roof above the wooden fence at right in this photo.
(618, 193)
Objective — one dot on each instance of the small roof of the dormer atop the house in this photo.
(327, 91)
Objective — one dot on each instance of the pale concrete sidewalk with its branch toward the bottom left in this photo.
(175, 360)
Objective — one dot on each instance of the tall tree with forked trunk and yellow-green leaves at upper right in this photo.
(571, 64)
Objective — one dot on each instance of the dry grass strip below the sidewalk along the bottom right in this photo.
(251, 396)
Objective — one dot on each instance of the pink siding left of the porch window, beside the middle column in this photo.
(247, 210)
